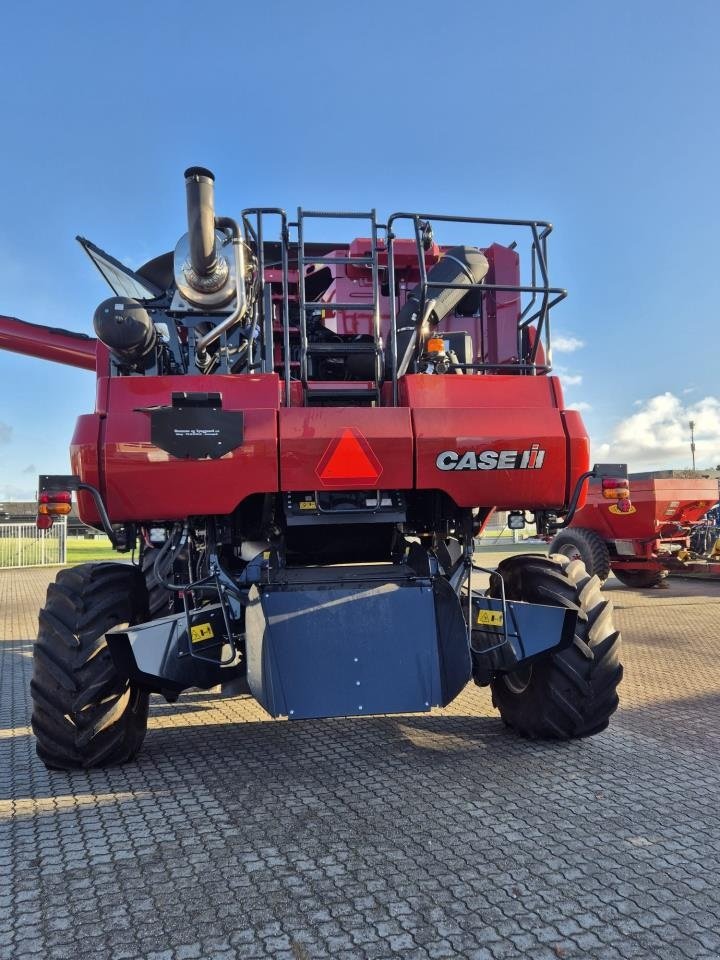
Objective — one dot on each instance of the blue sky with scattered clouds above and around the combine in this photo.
(602, 118)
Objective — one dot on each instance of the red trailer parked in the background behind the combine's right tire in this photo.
(644, 539)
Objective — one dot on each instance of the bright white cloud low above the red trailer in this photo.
(658, 434)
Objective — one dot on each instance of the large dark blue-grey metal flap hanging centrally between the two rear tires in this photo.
(329, 644)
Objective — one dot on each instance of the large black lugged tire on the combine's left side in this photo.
(84, 714)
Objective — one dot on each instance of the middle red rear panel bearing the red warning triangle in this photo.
(307, 435)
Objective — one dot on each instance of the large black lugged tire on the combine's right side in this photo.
(571, 693)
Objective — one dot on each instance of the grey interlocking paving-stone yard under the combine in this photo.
(435, 836)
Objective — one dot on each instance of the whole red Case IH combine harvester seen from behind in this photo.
(303, 438)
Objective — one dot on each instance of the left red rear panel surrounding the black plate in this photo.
(143, 482)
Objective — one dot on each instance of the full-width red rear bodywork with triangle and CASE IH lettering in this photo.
(536, 450)
